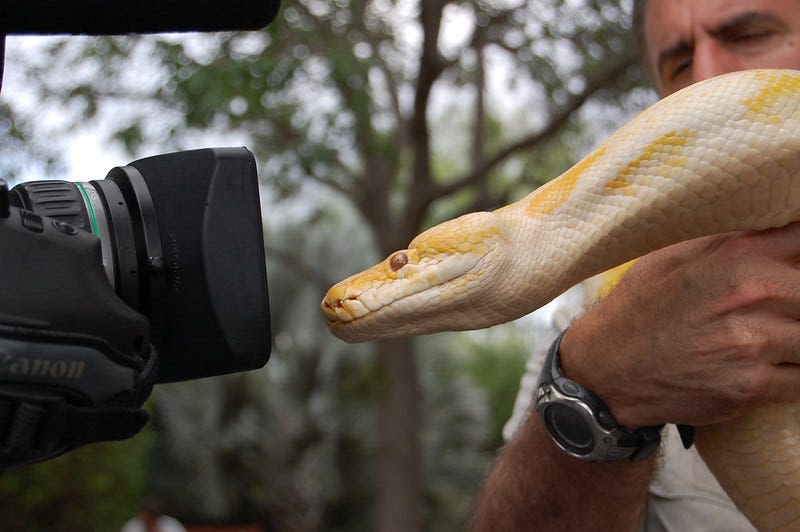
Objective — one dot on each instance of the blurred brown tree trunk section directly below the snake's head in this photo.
(399, 491)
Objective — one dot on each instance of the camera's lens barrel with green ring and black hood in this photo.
(181, 243)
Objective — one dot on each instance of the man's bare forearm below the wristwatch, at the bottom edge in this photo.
(536, 486)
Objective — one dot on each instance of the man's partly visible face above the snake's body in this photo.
(691, 40)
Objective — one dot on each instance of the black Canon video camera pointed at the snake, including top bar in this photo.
(154, 274)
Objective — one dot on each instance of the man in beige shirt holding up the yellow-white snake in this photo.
(681, 327)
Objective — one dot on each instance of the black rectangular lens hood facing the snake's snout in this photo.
(214, 308)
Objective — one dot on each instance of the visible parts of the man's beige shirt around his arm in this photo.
(684, 495)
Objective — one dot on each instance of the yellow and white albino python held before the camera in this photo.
(718, 156)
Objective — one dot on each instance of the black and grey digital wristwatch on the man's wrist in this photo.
(581, 424)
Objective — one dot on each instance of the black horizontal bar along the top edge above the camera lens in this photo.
(116, 17)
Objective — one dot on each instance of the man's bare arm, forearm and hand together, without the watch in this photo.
(695, 334)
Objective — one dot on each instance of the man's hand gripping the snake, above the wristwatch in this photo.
(696, 332)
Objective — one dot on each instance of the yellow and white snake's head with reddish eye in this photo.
(441, 282)
